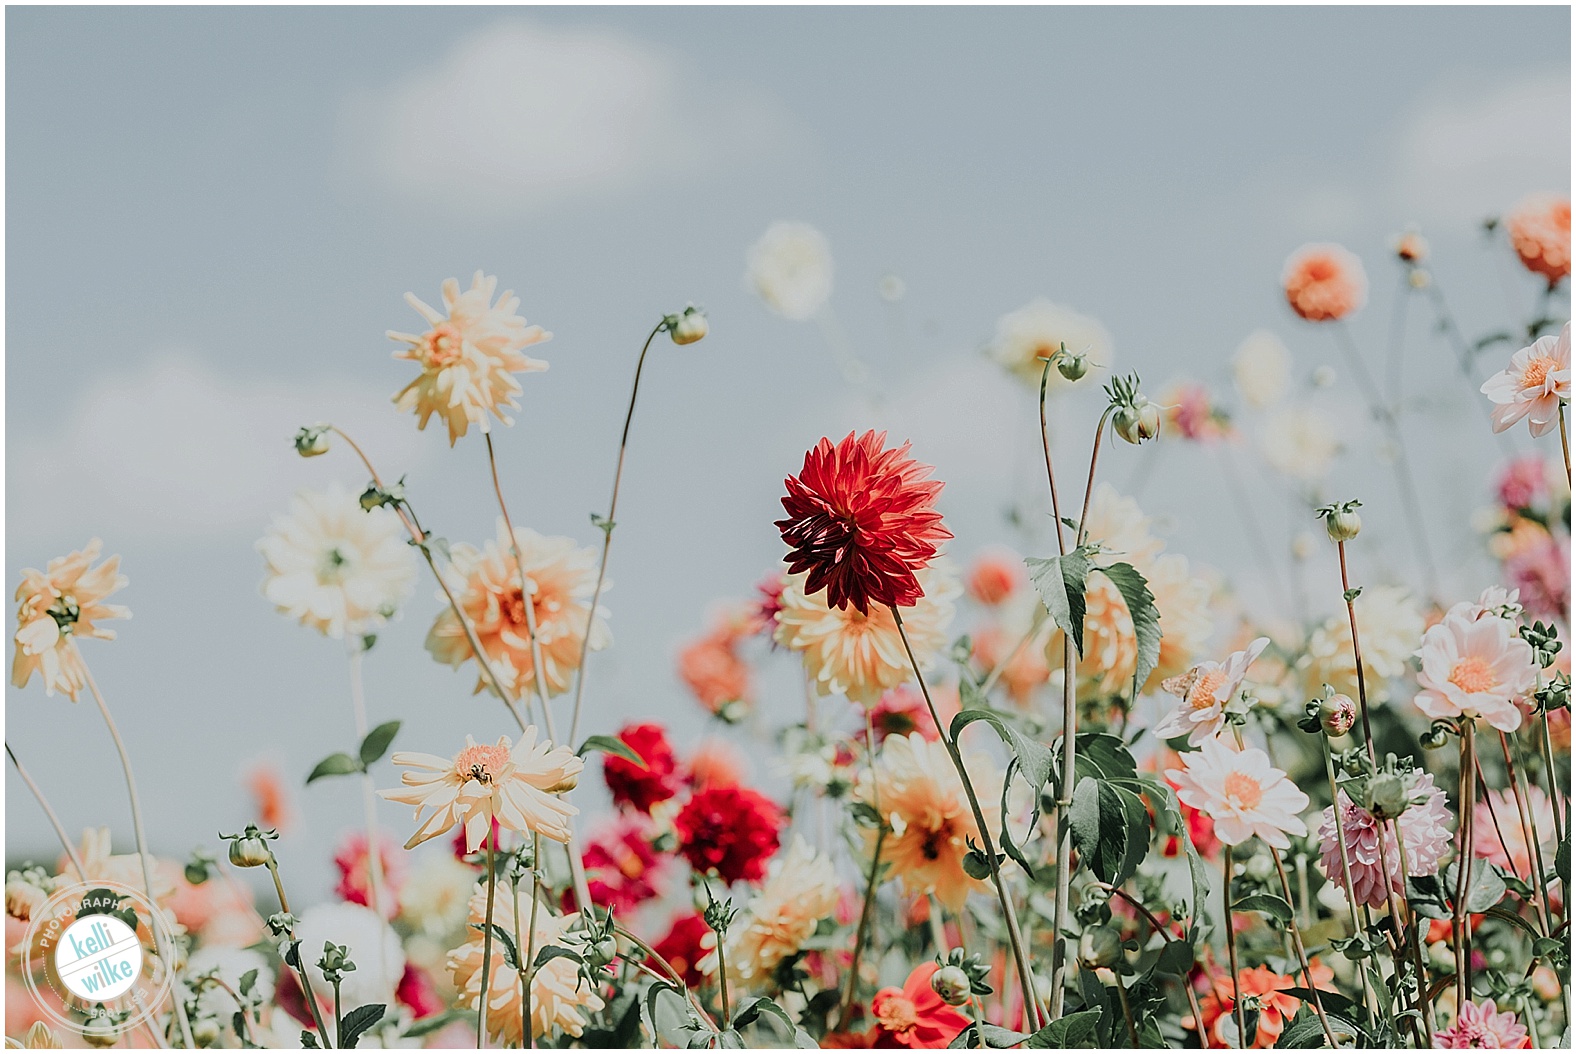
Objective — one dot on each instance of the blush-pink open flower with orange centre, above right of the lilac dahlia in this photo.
(1476, 667)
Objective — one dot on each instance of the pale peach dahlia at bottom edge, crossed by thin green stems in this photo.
(560, 998)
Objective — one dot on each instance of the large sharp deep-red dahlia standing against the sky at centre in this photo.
(861, 522)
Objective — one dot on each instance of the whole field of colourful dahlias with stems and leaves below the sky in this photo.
(1079, 796)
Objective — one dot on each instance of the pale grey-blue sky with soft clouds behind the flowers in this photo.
(214, 217)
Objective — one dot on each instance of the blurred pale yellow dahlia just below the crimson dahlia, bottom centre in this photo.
(800, 893)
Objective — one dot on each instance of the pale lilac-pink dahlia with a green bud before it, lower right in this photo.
(1425, 829)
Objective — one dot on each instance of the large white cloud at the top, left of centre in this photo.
(522, 116)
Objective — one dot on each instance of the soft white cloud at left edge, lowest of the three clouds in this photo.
(177, 451)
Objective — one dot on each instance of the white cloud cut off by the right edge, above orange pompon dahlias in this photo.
(1477, 149)
